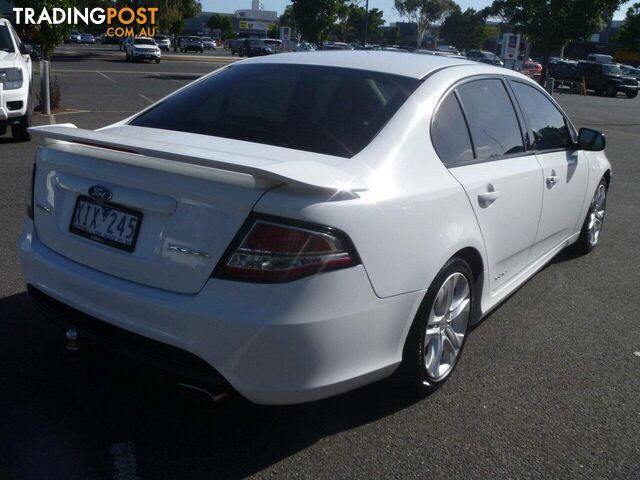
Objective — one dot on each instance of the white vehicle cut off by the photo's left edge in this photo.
(16, 100)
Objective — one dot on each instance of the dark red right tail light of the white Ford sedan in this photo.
(276, 251)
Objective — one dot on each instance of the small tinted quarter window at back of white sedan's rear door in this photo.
(449, 133)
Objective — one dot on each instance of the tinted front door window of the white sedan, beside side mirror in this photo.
(548, 124)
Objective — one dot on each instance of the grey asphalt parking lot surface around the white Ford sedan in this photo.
(548, 386)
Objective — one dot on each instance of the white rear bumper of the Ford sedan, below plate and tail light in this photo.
(274, 344)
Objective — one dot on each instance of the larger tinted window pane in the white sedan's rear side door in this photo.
(492, 120)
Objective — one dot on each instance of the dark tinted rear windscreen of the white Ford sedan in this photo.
(334, 111)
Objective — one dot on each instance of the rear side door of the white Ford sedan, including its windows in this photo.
(501, 178)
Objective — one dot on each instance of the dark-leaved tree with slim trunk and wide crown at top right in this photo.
(551, 24)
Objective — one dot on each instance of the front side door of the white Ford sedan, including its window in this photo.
(566, 170)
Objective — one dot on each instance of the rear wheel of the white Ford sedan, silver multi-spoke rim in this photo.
(436, 338)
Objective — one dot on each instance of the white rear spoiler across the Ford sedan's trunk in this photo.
(305, 173)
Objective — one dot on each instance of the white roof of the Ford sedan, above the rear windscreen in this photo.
(398, 63)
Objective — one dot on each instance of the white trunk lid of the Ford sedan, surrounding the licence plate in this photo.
(192, 200)
